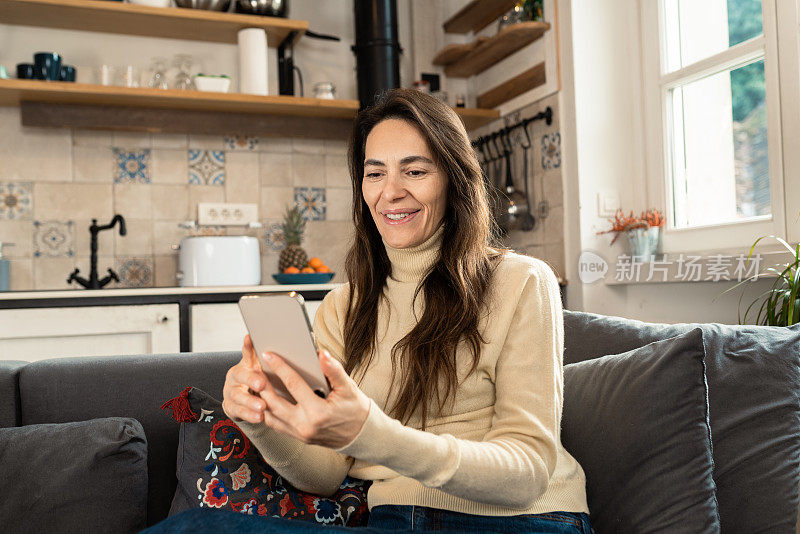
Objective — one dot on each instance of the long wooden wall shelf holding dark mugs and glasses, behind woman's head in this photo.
(73, 105)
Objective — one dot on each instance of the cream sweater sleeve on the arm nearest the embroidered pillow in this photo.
(312, 468)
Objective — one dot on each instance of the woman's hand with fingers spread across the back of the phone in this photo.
(332, 422)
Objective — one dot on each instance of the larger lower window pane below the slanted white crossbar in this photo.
(720, 163)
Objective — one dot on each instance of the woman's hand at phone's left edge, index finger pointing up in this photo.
(243, 382)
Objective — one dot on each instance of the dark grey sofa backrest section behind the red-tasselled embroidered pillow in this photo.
(78, 389)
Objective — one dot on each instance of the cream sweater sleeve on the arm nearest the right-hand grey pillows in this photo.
(512, 466)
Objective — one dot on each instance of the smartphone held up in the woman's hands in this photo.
(279, 323)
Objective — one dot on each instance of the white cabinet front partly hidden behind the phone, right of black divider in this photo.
(220, 327)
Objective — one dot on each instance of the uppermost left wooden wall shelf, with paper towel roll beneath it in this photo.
(133, 19)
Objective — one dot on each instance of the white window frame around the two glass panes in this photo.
(656, 86)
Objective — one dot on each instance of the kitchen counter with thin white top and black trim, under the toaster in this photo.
(184, 297)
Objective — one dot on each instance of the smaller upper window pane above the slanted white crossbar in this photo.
(697, 29)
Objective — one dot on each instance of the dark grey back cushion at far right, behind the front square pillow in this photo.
(754, 400)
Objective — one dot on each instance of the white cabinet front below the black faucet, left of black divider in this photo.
(37, 333)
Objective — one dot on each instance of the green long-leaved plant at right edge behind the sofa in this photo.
(780, 304)
